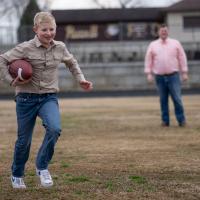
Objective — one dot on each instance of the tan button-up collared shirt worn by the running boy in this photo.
(45, 65)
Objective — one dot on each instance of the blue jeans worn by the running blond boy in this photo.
(28, 107)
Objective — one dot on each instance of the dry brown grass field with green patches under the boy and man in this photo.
(110, 148)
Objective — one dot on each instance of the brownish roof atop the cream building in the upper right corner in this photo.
(184, 6)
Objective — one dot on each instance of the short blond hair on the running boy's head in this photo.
(43, 17)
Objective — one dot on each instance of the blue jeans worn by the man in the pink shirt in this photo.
(170, 85)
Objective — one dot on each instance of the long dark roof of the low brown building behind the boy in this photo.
(108, 15)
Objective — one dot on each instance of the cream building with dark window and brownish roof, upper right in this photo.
(183, 19)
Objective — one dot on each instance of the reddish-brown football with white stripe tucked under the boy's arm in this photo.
(20, 68)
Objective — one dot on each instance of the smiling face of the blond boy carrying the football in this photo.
(46, 32)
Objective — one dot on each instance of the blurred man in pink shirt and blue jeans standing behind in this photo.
(166, 59)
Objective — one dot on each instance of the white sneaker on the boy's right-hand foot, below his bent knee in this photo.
(45, 177)
